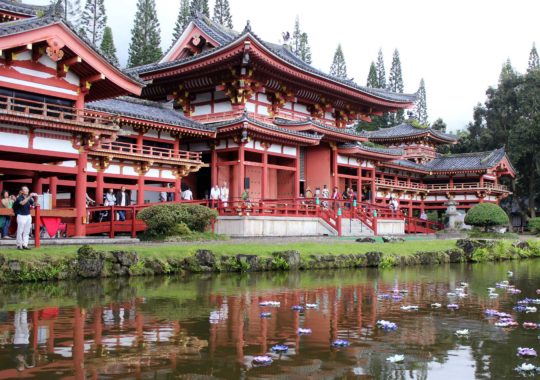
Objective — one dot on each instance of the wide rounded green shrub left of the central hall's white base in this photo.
(166, 219)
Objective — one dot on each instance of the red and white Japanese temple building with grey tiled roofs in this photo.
(219, 107)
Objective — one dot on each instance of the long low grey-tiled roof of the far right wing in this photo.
(457, 162)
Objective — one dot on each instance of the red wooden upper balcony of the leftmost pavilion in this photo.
(53, 115)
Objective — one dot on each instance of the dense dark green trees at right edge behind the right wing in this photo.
(510, 118)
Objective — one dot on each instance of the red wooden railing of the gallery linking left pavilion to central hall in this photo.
(148, 151)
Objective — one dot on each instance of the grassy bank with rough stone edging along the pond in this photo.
(53, 263)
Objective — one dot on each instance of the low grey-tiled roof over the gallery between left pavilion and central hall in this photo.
(145, 110)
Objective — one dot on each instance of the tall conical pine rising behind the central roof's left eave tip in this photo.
(145, 35)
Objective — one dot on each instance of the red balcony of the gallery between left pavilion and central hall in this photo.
(146, 153)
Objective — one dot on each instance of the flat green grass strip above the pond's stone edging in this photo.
(332, 247)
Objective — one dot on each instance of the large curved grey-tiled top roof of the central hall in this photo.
(227, 37)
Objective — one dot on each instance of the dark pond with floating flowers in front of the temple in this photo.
(210, 326)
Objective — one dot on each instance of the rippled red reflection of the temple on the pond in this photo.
(215, 332)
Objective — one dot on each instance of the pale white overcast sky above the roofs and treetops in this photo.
(457, 46)
